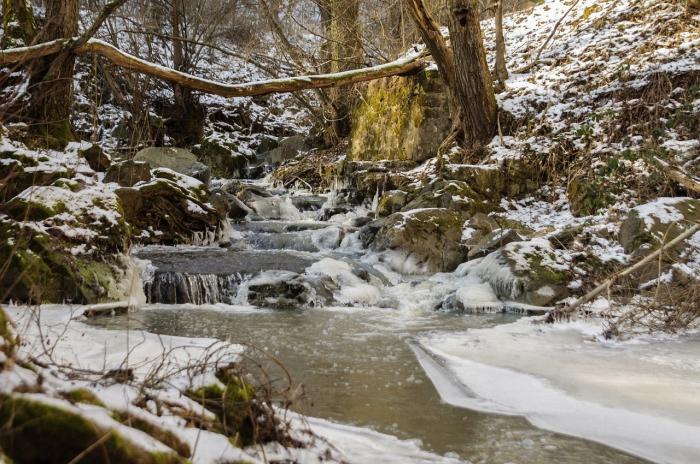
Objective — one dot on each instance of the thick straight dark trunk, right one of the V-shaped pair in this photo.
(474, 88)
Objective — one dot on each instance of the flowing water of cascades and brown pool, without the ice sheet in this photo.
(356, 364)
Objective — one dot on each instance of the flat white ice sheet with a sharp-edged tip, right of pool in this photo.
(639, 396)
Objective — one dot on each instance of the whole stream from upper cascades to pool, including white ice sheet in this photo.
(476, 388)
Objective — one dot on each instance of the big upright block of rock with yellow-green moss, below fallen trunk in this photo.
(400, 118)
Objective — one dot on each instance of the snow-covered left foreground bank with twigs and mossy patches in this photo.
(72, 356)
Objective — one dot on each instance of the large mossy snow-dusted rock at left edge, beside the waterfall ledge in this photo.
(73, 253)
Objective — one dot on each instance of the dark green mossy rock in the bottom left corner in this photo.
(63, 434)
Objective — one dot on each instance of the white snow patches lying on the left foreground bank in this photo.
(55, 334)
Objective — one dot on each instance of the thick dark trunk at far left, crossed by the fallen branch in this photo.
(51, 82)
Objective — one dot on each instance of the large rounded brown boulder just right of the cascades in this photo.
(429, 238)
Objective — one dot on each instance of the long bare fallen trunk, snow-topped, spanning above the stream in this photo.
(409, 64)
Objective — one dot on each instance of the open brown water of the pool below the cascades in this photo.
(357, 368)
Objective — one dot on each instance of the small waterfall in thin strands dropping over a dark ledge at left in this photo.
(182, 288)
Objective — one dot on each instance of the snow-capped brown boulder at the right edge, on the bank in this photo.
(661, 220)
